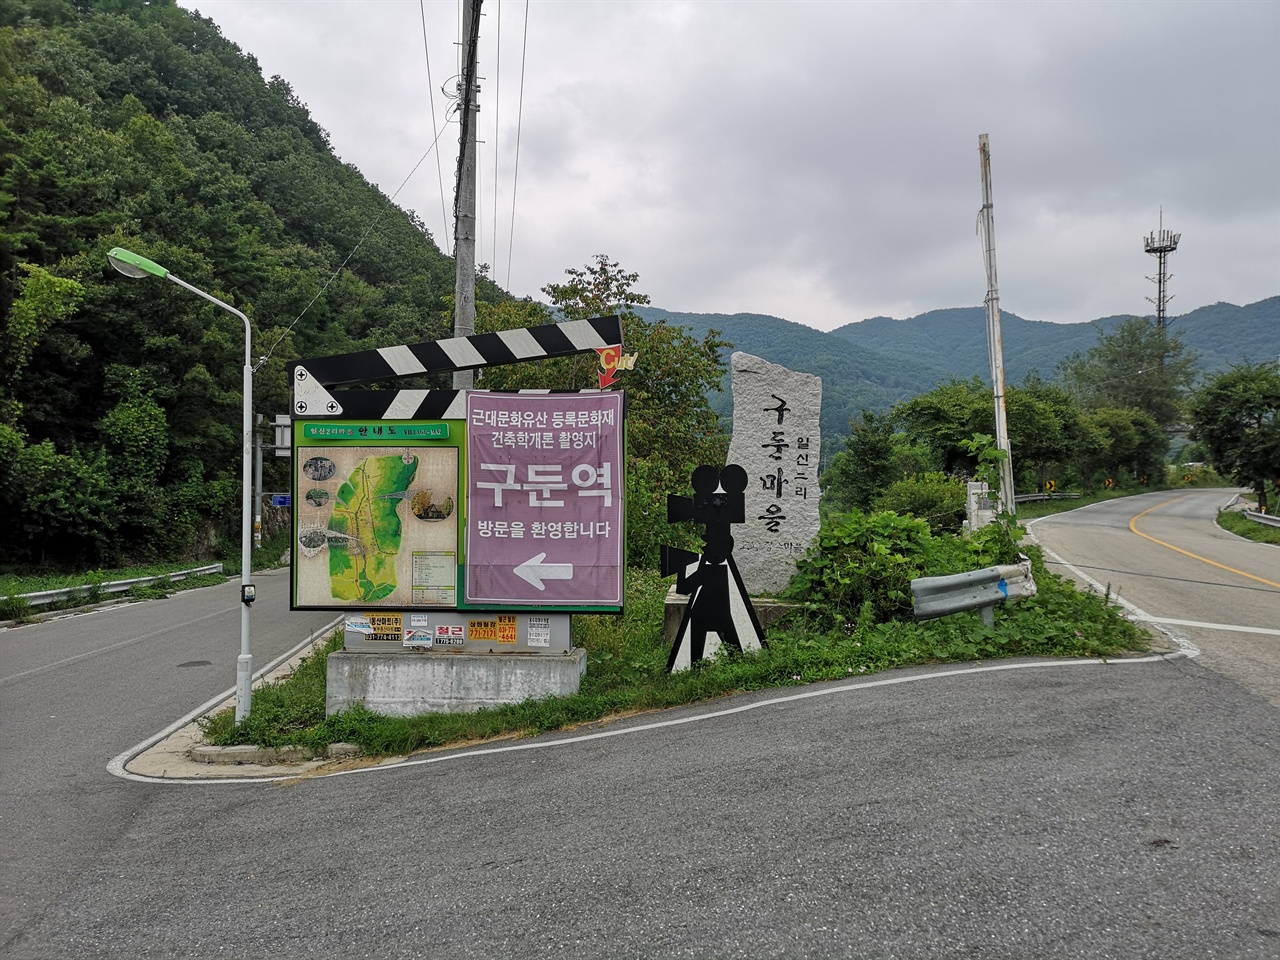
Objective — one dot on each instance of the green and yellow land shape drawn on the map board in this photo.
(365, 528)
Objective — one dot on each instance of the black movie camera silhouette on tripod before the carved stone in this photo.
(719, 611)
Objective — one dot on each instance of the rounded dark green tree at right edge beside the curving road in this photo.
(1237, 417)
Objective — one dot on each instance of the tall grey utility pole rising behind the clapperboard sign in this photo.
(465, 193)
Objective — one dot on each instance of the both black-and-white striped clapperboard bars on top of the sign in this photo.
(313, 378)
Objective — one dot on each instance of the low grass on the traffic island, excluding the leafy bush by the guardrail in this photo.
(628, 659)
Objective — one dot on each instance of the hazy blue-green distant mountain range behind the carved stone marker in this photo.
(877, 363)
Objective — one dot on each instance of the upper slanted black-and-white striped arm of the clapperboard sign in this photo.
(467, 353)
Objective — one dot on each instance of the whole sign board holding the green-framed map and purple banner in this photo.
(519, 508)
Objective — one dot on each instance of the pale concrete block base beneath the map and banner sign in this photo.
(447, 683)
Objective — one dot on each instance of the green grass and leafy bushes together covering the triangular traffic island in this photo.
(852, 620)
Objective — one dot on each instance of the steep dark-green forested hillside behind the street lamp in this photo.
(136, 124)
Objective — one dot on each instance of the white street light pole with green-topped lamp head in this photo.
(134, 266)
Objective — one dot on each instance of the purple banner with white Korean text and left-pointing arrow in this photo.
(545, 500)
